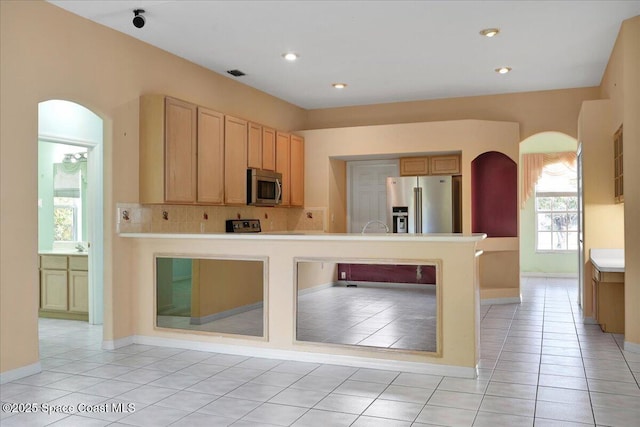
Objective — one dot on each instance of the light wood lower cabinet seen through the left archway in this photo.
(64, 287)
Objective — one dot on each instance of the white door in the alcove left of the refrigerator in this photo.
(367, 193)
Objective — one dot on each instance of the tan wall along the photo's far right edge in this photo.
(621, 84)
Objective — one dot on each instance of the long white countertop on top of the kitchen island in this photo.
(316, 236)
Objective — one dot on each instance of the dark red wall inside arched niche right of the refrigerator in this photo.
(494, 195)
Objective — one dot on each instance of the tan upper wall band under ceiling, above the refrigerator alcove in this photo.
(536, 112)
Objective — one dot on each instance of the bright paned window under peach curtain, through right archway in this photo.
(556, 204)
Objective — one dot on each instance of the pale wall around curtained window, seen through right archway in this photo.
(530, 260)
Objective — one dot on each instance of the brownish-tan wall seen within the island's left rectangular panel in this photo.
(221, 284)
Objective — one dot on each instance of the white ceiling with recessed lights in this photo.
(386, 51)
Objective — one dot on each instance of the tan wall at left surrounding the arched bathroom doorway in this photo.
(48, 53)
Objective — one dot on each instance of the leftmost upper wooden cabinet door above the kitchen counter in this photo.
(180, 151)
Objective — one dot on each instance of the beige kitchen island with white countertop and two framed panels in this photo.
(453, 255)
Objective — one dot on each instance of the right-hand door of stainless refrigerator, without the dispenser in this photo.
(437, 204)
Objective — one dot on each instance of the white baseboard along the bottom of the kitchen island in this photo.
(303, 356)
